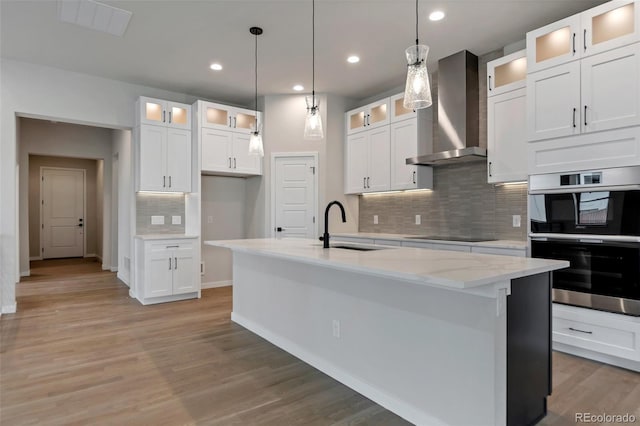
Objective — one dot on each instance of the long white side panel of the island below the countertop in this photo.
(433, 356)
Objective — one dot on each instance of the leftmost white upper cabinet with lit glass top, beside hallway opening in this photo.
(162, 146)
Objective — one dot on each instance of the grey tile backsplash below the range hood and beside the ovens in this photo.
(462, 204)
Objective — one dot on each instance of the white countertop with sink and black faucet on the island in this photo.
(430, 267)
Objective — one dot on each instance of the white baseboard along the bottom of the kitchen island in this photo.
(377, 395)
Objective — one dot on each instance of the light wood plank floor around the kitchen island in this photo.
(80, 351)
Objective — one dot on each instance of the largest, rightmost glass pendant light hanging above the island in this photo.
(417, 93)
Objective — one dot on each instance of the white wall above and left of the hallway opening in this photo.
(44, 92)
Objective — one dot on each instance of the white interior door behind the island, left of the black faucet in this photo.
(295, 197)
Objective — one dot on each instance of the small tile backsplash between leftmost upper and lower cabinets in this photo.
(165, 205)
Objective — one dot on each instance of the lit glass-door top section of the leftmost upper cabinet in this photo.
(164, 113)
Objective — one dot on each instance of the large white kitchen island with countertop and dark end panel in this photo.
(438, 337)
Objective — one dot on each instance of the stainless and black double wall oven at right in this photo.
(592, 220)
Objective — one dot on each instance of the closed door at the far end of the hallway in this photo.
(62, 213)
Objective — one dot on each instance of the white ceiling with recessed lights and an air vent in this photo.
(171, 43)
